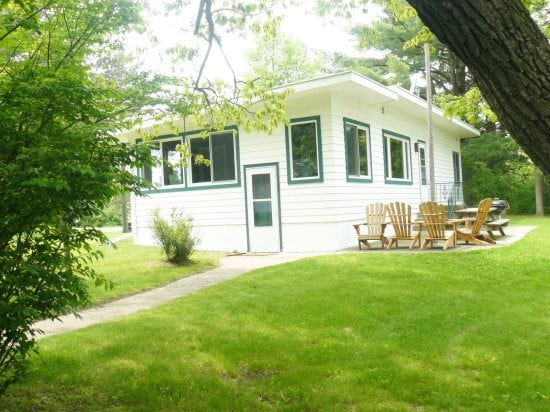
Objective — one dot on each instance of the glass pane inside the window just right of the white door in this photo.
(304, 150)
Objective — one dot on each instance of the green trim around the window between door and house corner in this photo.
(306, 164)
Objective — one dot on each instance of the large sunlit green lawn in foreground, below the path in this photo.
(361, 331)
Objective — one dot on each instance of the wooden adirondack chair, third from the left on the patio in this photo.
(435, 222)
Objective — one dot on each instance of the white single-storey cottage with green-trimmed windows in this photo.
(350, 142)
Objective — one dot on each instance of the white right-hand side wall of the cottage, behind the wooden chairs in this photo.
(351, 198)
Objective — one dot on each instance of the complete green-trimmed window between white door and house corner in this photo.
(303, 143)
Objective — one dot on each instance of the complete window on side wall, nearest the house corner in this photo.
(357, 141)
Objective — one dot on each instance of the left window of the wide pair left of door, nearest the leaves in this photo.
(167, 169)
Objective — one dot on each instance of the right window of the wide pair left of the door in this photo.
(216, 155)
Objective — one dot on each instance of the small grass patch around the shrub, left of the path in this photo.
(133, 268)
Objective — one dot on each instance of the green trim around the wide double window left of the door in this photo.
(187, 185)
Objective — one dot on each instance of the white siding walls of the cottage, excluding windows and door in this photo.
(315, 216)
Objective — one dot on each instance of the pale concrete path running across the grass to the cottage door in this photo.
(230, 267)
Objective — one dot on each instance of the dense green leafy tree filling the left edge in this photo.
(59, 158)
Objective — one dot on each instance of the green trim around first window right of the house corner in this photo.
(361, 175)
